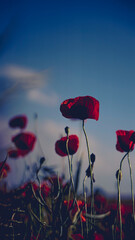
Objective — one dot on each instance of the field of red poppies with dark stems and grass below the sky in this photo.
(50, 208)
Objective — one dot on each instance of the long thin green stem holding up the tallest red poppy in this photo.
(91, 177)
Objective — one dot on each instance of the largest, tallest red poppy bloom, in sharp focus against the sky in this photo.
(80, 108)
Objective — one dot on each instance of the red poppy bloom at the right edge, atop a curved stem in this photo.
(124, 144)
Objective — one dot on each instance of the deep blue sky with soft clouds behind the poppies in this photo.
(54, 50)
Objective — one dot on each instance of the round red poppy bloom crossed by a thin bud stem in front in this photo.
(73, 145)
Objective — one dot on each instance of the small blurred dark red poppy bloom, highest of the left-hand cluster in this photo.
(18, 121)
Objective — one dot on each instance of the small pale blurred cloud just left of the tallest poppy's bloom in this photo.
(43, 98)
